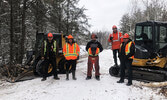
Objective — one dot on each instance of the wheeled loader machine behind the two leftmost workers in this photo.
(35, 63)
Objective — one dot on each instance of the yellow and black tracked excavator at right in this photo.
(150, 59)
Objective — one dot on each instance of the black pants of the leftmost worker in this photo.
(51, 61)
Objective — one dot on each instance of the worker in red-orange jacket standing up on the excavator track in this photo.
(116, 39)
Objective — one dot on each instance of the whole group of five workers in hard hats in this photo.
(121, 45)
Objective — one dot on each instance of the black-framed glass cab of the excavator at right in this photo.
(150, 38)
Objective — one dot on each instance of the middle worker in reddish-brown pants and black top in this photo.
(93, 48)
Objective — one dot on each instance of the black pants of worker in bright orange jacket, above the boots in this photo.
(71, 64)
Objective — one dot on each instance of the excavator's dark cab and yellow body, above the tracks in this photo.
(151, 44)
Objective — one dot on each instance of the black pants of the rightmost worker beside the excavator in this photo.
(126, 64)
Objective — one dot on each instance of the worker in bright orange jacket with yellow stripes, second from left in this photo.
(71, 52)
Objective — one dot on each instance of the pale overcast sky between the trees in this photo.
(104, 14)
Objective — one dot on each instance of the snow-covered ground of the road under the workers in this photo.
(105, 89)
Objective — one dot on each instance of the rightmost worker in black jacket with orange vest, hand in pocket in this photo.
(126, 54)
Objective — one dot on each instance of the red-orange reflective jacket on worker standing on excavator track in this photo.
(116, 41)
